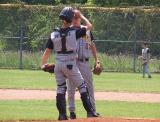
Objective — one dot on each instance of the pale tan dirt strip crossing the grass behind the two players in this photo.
(13, 94)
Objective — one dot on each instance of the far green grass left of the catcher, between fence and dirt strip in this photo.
(25, 79)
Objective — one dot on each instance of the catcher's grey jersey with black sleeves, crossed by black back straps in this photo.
(65, 50)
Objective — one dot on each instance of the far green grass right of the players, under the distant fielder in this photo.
(129, 82)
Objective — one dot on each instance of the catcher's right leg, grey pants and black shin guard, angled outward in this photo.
(74, 75)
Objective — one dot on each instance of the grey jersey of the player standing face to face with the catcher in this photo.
(83, 47)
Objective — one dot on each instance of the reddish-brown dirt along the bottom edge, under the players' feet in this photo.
(93, 120)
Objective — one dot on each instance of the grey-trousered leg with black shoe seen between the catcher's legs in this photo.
(71, 89)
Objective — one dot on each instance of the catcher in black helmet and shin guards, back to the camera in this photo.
(64, 42)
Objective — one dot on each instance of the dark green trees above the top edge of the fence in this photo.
(89, 2)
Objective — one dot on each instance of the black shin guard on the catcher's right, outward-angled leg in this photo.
(87, 105)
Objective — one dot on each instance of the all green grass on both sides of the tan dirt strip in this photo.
(46, 109)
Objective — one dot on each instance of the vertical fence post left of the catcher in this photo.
(21, 43)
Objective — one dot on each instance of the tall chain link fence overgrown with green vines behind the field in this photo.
(119, 32)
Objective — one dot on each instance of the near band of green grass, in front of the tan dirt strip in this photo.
(44, 109)
